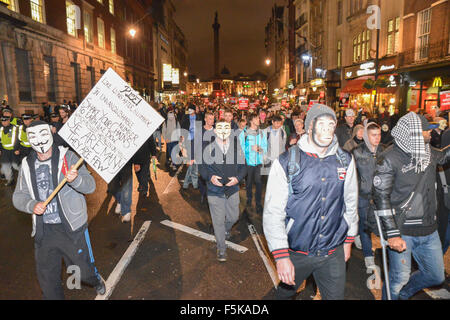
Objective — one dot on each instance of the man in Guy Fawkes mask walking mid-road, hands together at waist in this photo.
(223, 168)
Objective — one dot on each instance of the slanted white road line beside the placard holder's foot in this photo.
(118, 271)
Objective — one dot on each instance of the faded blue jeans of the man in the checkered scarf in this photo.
(427, 252)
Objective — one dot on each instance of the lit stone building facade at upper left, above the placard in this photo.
(56, 50)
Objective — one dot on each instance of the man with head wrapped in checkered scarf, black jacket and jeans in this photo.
(404, 194)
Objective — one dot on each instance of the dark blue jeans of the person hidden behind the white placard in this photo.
(121, 188)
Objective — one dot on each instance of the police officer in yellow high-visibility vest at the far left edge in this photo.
(9, 149)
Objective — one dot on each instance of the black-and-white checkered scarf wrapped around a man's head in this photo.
(408, 136)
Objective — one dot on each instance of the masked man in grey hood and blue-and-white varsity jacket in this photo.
(310, 211)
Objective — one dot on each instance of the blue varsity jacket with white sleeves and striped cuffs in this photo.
(321, 213)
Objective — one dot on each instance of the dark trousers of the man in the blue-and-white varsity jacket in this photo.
(328, 272)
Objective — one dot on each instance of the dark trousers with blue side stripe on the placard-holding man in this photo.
(56, 245)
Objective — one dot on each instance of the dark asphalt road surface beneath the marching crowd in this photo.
(169, 264)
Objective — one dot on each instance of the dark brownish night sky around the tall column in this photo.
(242, 25)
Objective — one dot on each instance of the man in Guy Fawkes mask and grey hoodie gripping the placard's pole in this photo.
(60, 228)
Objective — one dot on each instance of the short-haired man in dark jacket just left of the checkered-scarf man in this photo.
(366, 155)
